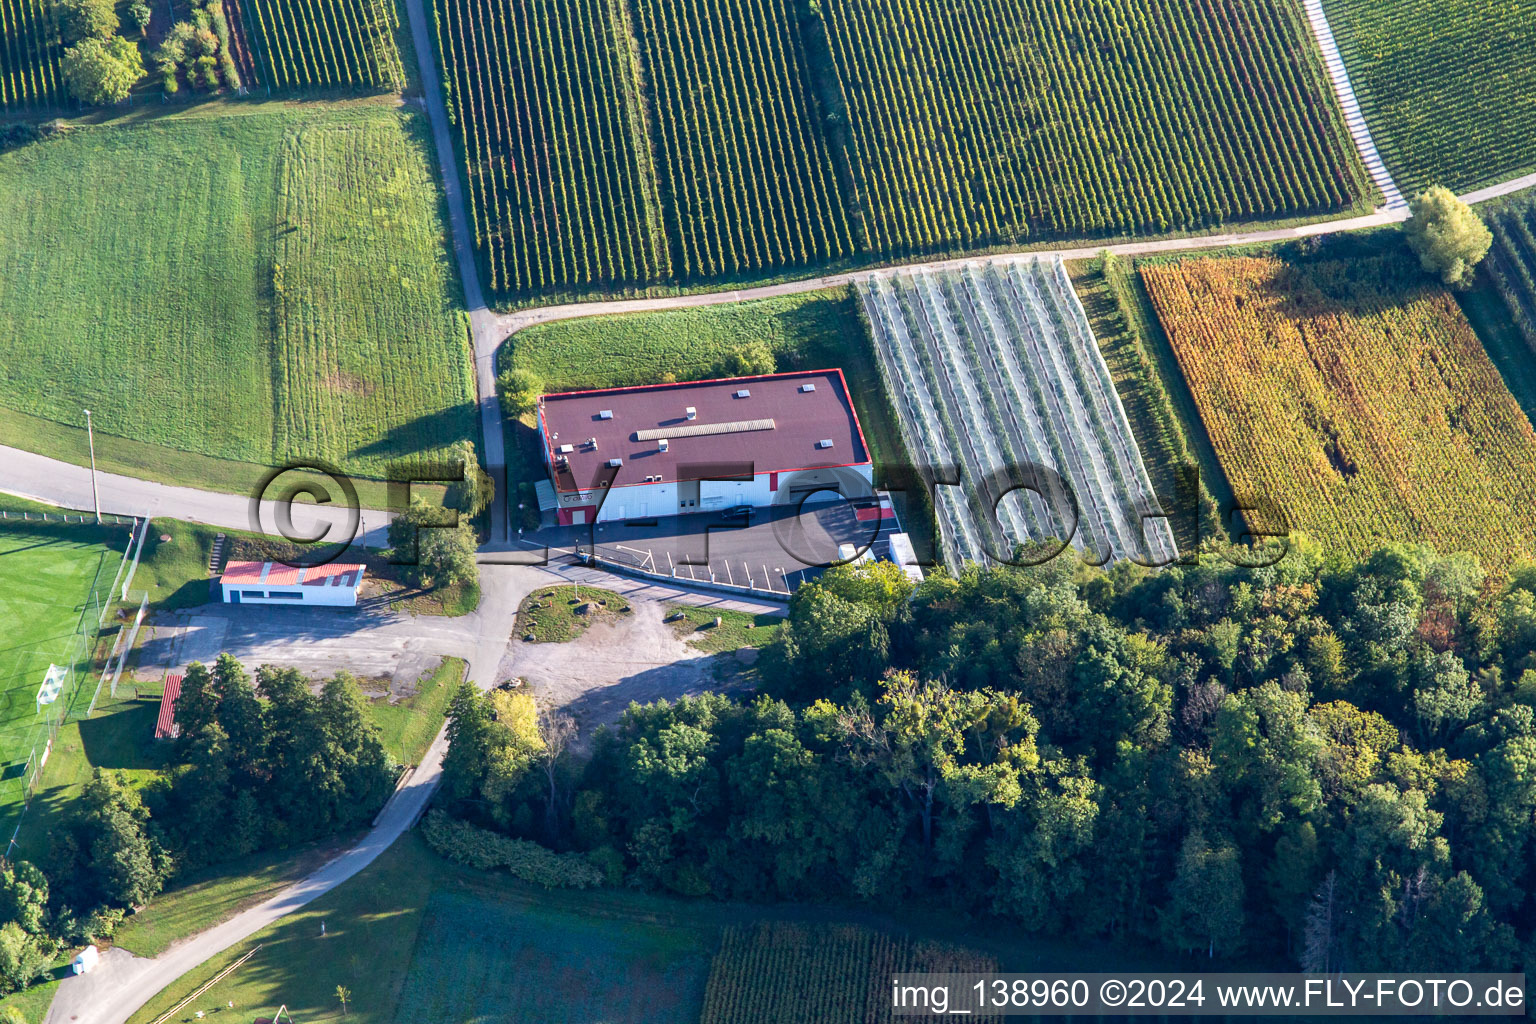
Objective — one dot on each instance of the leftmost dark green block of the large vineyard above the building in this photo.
(560, 183)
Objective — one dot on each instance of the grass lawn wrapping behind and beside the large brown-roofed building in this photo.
(806, 332)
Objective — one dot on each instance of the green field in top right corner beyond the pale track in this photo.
(1449, 90)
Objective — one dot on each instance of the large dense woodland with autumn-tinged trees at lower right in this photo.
(1326, 761)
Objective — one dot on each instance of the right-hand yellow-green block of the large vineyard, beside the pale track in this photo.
(987, 122)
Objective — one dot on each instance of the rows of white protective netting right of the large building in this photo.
(1001, 386)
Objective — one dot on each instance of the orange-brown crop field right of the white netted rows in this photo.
(1365, 412)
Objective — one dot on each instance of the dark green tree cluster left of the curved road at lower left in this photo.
(260, 765)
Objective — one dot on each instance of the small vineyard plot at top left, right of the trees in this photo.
(326, 44)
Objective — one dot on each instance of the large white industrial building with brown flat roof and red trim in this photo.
(680, 449)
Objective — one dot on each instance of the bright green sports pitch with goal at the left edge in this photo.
(51, 583)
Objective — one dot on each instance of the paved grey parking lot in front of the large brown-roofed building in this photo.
(778, 549)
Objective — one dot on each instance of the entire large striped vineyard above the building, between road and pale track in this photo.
(614, 145)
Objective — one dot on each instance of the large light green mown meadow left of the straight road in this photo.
(196, 305)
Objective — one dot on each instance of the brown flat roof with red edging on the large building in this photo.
(776, 429)
